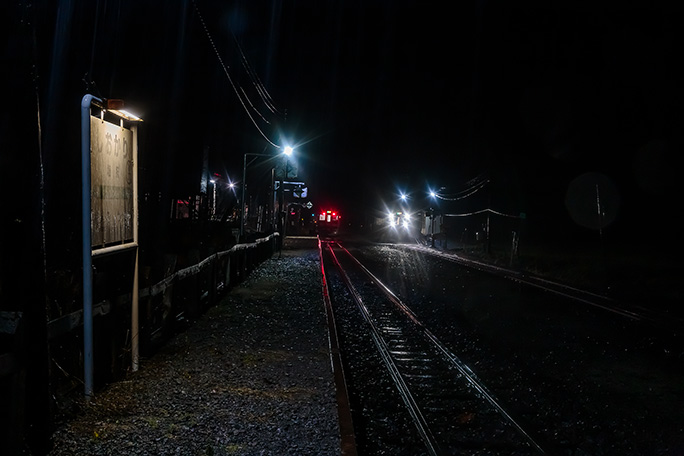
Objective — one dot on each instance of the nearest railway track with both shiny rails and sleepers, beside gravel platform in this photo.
(451, 409)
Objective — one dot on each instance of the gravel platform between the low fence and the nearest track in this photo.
(251, 377)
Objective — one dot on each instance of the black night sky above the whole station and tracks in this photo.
(378, 96)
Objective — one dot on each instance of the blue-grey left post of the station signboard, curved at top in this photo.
(86, 247)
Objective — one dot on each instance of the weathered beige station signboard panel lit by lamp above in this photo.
(111, 155)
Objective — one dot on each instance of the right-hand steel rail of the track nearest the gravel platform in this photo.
(470, 376)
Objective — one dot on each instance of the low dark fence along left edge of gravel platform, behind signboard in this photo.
(164, 306)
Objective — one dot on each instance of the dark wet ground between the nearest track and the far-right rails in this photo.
(586, 381)
